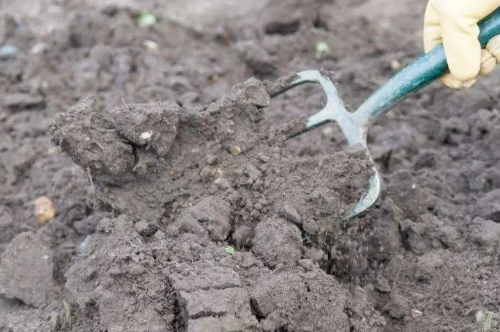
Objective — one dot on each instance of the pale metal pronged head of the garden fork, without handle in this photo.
(352, 127)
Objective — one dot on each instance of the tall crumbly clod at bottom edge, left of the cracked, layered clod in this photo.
(117, 268)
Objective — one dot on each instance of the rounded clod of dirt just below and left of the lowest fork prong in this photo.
(277, 242)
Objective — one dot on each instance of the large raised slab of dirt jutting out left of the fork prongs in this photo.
(98, 142)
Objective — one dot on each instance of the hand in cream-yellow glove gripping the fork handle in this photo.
(453, 23)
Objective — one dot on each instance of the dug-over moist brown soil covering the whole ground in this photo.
(181, 206)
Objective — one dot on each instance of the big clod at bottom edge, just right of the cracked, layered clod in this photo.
(310, 301)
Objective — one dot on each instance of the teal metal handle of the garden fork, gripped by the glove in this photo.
(417, 75)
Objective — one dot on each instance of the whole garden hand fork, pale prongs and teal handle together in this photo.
(421, 72)
